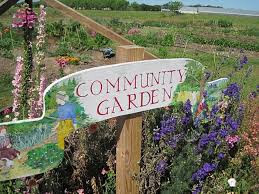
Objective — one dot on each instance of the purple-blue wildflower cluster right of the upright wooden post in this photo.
(207, 139)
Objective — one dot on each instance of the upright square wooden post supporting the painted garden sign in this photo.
(128, 152)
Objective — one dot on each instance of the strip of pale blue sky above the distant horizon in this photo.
(238, 4)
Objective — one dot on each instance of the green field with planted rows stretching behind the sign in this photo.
(214, 40)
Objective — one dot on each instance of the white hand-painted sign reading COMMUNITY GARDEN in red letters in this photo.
(35, 146)
